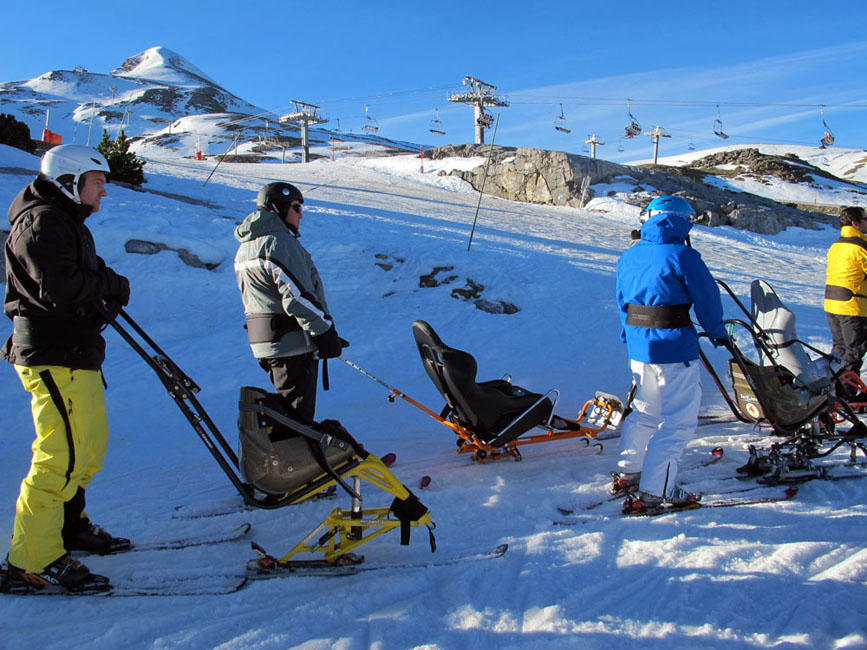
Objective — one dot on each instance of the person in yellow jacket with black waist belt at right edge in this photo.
(846, 292)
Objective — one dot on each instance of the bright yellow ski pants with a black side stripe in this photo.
(71, 438)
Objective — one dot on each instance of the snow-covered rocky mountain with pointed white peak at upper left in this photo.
(168, 106)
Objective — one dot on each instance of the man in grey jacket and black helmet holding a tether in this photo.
(288, 323)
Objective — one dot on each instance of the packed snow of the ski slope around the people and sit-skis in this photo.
(785, 575)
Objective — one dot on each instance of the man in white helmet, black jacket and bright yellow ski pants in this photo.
(54, 280)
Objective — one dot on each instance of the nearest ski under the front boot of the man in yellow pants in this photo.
(208, 585)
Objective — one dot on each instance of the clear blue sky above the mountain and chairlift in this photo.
(767, 65)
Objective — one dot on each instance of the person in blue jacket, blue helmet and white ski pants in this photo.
(659, 279)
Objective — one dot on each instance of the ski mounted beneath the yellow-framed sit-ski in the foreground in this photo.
(266, 568)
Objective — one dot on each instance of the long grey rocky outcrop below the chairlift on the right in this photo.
(559, 178)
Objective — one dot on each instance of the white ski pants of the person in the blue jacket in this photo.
(662, 422)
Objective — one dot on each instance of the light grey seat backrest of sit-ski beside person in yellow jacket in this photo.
(778, 323)
